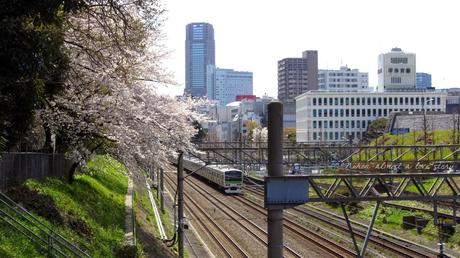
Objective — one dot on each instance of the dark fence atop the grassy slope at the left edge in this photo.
(17, 167)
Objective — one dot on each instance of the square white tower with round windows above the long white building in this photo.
(396, 71)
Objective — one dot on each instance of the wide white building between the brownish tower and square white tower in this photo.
(345, 79)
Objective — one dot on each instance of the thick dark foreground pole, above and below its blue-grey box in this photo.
(275, 168)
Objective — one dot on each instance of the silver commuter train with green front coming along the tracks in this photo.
(230, 180)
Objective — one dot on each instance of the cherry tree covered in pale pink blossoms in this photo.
(110, 103)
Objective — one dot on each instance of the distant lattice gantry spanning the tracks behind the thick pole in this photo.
(359, 157)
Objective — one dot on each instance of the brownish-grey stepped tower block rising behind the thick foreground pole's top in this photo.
(296, 76)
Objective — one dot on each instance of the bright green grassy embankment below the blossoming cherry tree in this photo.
(95, 198)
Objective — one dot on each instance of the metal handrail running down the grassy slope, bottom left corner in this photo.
(52, 236)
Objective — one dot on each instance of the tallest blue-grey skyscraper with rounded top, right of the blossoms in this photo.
(199, 53)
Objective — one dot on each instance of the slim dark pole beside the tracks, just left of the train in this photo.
(180, 203)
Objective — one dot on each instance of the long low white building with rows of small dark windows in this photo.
(327, 116)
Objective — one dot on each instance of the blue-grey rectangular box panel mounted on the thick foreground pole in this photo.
(286, 191)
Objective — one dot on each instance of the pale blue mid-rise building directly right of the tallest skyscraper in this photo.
(225, 84)
